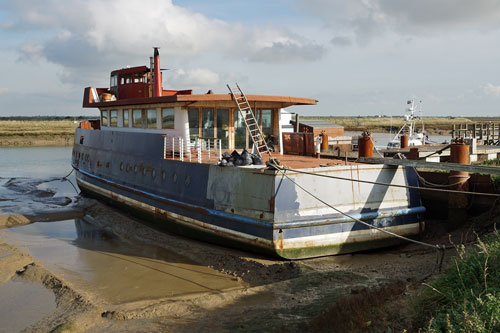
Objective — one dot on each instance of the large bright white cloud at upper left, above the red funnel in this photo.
(92, 36)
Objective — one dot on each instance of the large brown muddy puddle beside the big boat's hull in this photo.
(116, 270)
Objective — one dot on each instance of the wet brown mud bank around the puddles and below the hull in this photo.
(266, 294)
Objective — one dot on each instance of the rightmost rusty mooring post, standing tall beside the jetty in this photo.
(457, 203)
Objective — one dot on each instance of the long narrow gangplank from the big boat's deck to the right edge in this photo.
(433, 165)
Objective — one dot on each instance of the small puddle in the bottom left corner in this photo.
(23, 304)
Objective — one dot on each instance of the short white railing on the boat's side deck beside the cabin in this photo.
(197, 149)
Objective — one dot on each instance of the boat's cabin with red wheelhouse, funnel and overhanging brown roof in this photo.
(137, 102)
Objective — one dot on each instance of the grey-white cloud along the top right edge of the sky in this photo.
(368, 19)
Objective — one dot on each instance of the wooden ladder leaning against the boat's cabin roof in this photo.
(249, 117)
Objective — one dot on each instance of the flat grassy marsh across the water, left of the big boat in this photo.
(37, 132)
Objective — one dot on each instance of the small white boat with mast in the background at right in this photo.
(409, 128)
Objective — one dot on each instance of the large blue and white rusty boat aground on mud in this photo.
(157, 153)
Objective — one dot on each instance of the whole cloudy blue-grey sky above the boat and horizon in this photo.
(356, 57)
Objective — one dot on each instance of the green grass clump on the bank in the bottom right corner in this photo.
(466, 298)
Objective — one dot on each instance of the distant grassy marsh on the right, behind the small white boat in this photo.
(433, 125)
